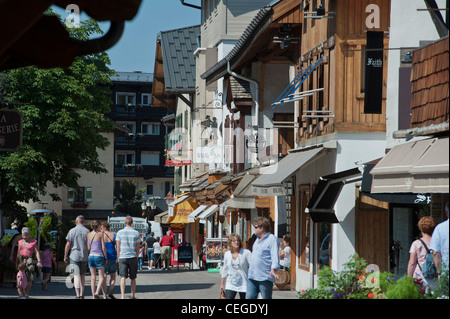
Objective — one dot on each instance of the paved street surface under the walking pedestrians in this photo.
(150, 284)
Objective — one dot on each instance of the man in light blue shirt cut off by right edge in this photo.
(439, 244)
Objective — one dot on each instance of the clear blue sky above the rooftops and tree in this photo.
(135, 51)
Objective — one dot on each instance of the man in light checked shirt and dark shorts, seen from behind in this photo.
(128, 240)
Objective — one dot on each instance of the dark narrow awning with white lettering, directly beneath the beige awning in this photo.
(394, 198)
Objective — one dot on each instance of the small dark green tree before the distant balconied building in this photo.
(128, 199)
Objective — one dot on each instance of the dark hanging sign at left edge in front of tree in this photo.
(10, 130)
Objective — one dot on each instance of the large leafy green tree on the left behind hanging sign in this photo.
(63, 121)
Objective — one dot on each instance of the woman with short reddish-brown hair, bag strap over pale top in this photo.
(418, 251)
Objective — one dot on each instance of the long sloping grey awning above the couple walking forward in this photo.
(271, 184)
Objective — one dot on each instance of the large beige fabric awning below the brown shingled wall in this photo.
(416, 167)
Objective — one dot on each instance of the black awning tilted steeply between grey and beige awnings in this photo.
(326, 193)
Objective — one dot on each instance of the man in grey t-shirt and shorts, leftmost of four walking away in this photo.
(76, 255)
